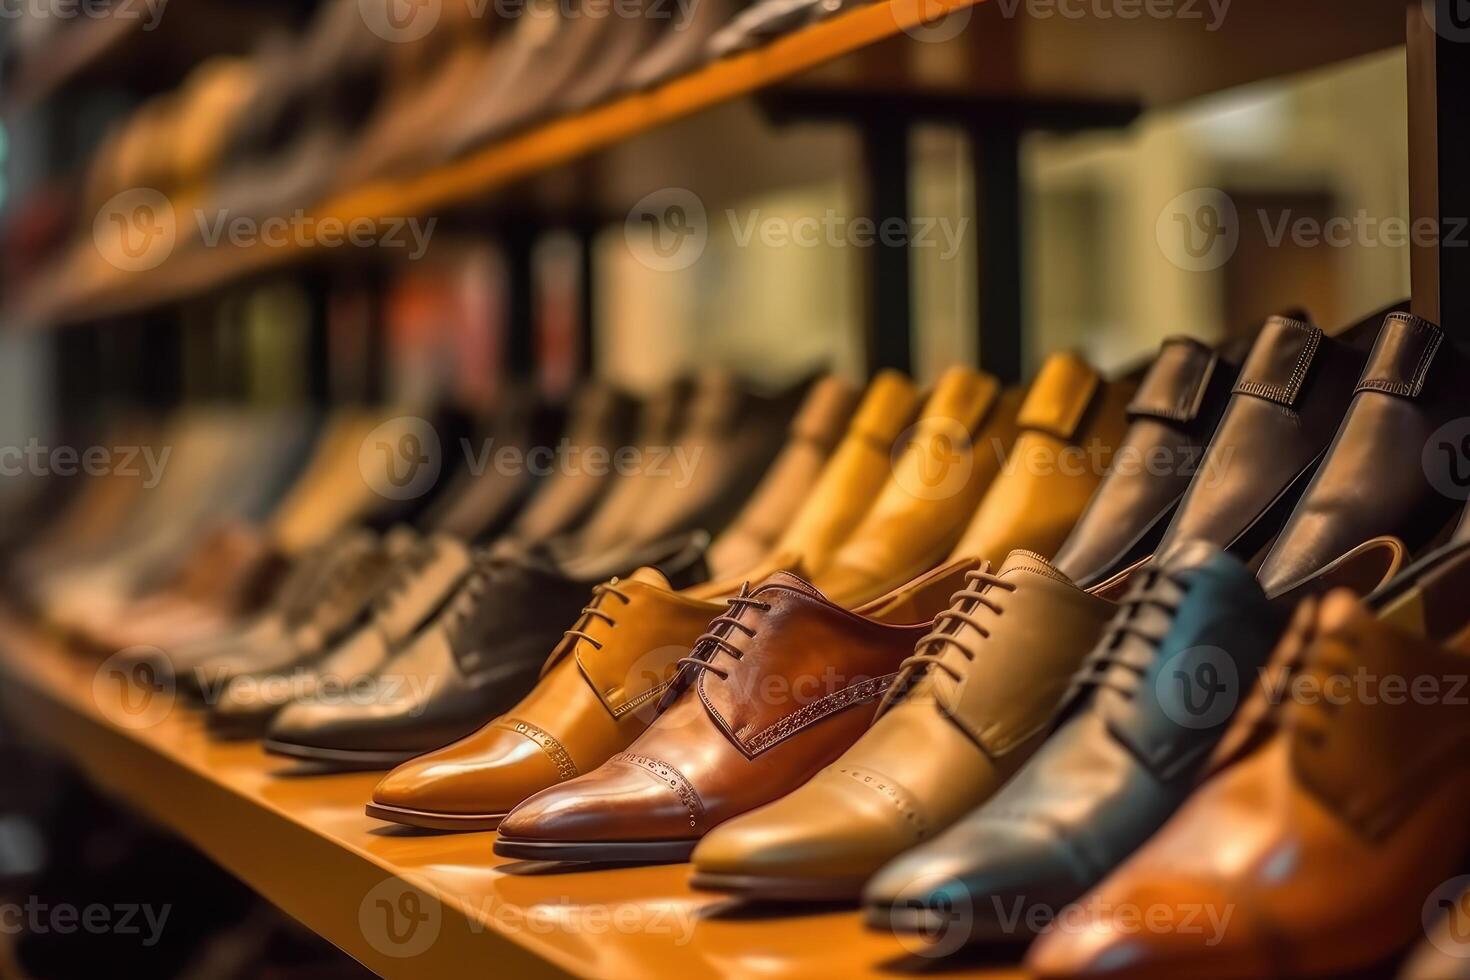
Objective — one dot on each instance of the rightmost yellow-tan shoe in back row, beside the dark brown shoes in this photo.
(1072, 422)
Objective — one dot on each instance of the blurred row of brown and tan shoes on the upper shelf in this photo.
(383, 89)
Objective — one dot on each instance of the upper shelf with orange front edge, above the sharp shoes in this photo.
(1118, 52)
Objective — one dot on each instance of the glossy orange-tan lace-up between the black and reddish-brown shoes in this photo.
(593, 697)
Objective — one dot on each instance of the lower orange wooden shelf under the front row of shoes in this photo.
(414, 904)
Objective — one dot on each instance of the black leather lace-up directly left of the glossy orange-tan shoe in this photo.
(477, 660)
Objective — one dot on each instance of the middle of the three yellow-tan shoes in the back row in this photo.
(940, 475)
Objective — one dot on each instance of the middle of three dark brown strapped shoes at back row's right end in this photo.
(1288, 400)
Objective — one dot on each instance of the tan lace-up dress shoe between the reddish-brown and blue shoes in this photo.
(969, 710)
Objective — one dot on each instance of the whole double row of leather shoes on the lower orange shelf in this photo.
(1161, 672)
